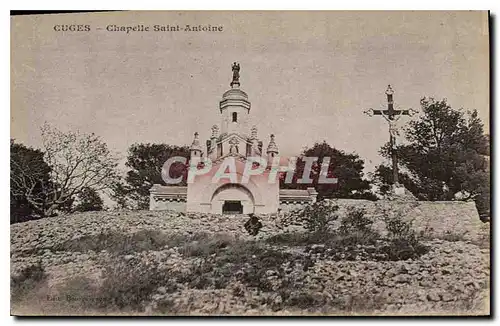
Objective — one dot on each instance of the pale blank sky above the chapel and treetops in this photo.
(309, 75)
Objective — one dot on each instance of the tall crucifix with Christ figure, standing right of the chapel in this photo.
(392, 116)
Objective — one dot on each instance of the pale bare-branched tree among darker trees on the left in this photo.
(77, 161)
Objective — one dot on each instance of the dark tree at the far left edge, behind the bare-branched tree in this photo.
(29, 173)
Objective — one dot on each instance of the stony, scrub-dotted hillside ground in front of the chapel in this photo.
(169, 263)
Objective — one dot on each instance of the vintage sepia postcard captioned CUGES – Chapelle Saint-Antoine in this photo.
(250, 163)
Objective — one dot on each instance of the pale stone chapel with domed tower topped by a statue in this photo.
(232, 140)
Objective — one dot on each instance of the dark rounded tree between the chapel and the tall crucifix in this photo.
(347, 168)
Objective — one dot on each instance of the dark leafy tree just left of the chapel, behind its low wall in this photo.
(145, 163)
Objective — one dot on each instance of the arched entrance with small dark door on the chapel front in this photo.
(232, 199)
